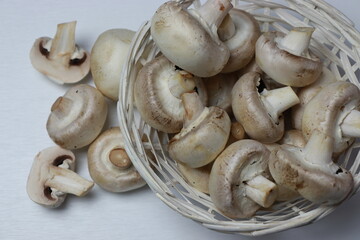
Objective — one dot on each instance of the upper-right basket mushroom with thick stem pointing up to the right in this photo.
(287, 58)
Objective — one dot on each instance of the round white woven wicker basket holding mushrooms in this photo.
(335, 40)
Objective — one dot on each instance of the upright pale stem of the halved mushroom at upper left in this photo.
(63, 44)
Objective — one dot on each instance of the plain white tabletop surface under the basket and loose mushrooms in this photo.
(25, 100)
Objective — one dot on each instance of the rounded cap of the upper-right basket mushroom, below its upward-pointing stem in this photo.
(284, 67)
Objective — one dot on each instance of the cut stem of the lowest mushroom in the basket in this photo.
(261, 190)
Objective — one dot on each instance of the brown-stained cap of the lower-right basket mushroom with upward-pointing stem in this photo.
(322, 184)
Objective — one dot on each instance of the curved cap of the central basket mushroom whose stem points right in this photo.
(249, 110)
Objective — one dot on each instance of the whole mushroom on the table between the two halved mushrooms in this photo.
(77, 118)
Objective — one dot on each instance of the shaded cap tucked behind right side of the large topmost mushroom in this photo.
(242, 44)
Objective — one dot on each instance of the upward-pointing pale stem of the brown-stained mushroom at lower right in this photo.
(319, 148)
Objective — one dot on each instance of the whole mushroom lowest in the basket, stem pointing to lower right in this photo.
(240, 182)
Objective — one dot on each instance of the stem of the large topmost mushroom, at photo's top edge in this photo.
(213, 12)
